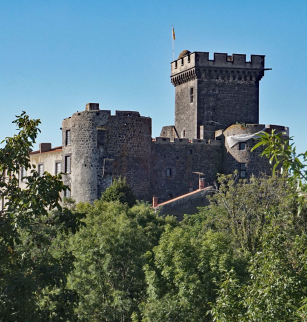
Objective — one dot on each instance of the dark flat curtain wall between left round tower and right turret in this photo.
(173, 164)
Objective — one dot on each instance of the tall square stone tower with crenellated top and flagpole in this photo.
(213, 94)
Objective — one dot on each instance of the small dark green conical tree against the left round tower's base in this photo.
(119, 191)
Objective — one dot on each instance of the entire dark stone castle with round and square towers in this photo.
(215, 100)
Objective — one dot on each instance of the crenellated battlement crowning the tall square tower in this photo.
(221, 60)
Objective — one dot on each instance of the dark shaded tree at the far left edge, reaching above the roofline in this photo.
(34, 262)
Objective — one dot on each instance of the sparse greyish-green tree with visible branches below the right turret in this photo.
(241, 208)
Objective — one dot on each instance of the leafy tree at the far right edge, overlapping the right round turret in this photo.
(277, 266)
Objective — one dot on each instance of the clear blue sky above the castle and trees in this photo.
(56, 56)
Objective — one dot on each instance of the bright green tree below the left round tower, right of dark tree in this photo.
(110, 257)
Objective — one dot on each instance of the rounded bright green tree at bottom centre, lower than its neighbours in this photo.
(183, 273)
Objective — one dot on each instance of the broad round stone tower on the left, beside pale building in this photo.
(104, 146)
